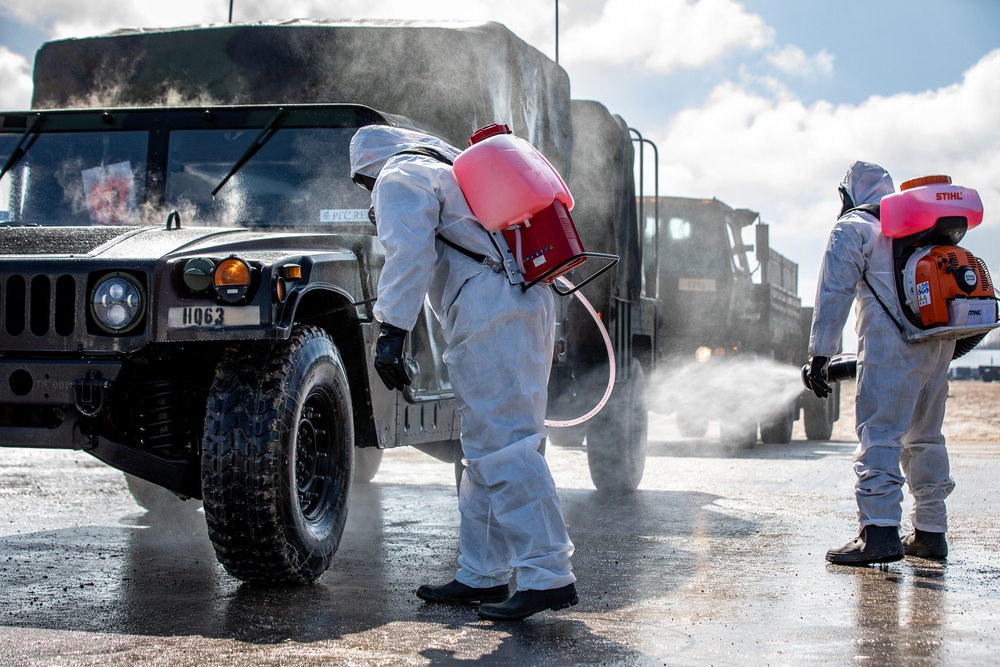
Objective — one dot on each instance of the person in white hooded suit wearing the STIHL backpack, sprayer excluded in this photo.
(901, 386)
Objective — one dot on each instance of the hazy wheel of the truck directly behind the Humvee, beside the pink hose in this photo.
(616, 437)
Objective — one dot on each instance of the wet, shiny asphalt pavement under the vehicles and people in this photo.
(716, 560)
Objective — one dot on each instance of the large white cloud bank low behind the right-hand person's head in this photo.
(773, 153)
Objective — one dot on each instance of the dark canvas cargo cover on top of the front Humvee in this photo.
(448, 77)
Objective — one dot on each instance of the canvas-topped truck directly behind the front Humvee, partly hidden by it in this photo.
(603, 167)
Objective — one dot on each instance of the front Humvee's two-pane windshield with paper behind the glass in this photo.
(299, 178)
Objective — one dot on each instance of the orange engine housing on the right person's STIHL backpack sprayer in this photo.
(934, 277)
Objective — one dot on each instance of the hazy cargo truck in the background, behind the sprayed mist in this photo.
(720, 304)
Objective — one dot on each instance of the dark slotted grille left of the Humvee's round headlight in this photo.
(38, 306)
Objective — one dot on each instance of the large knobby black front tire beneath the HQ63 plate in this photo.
(277, 458)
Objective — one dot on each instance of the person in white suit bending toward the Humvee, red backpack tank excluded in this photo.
(500, 342)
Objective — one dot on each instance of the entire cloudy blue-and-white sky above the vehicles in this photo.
(760, 103)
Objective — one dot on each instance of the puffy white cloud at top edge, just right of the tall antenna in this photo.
(665, 35)
